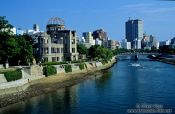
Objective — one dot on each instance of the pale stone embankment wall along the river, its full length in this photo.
(35, 72)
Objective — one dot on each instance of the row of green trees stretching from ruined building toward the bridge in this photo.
(97, 52)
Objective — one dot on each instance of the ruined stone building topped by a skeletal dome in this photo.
(57, 44)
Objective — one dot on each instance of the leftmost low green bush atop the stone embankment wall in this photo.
(13, 75)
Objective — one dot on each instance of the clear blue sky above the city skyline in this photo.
(89, 15)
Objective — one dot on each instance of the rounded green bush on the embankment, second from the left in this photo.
(49, 70)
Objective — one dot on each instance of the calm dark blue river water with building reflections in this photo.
(127, 85)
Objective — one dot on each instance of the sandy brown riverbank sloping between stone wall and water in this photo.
(49, 84)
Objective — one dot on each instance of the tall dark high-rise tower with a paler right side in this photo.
(134, 31)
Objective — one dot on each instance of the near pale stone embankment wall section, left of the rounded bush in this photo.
(29, 74)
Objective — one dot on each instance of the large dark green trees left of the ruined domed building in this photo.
(14, 49)
